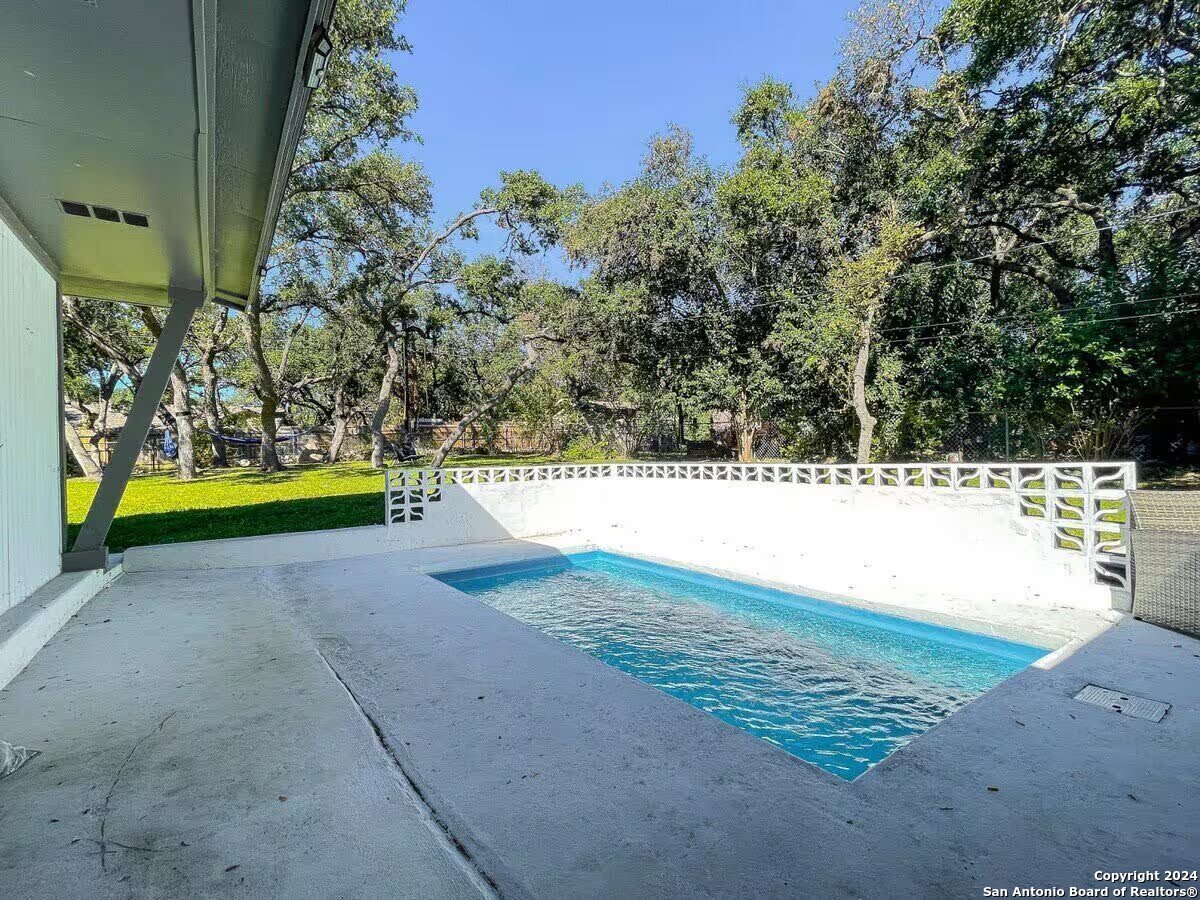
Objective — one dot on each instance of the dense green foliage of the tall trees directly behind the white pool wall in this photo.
(967, 172)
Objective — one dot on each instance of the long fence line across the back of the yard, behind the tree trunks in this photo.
(1165, 436)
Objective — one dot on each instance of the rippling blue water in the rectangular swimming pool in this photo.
(839, 687)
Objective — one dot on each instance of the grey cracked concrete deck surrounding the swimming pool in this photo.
(428, 746)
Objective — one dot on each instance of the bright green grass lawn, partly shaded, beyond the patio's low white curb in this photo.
(236, 503)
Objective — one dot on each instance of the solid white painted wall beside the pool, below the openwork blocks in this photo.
(898, 547)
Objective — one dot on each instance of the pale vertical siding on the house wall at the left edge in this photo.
(31, 464)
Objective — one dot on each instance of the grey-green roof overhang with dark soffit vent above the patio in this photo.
(183, 112)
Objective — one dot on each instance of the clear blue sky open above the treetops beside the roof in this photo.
(575, 91)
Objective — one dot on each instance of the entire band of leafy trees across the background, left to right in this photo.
(989, 207)
